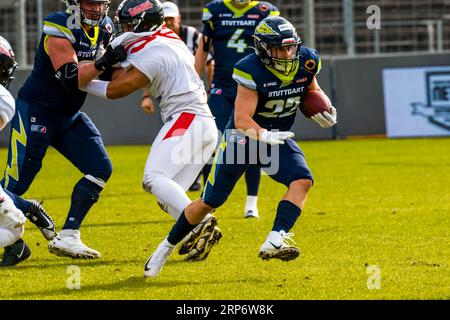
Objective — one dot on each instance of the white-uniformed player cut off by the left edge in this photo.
(12, 219)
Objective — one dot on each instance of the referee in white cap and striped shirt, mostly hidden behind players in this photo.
(191, 37)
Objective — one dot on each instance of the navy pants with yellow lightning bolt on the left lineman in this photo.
(33, 130)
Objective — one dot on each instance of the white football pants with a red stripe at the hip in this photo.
(181, 149)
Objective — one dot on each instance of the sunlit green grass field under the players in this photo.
(383, 203)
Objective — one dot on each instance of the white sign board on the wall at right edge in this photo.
(417, 101)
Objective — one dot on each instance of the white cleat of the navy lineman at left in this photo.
(68, 243)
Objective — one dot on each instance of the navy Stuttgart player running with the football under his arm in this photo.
(261, 110)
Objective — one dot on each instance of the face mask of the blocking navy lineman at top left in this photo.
(92, 11)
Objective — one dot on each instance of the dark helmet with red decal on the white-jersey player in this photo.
(142, 15)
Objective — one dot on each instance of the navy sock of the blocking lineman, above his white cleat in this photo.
(84, 195)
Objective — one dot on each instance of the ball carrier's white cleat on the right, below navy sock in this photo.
(279, 245)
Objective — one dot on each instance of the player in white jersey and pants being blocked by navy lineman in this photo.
(162, 63)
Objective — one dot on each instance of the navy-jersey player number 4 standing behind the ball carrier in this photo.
(228, 28)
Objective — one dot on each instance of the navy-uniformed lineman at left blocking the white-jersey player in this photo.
(47, 113)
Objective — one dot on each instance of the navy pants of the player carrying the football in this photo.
(283, 163)
